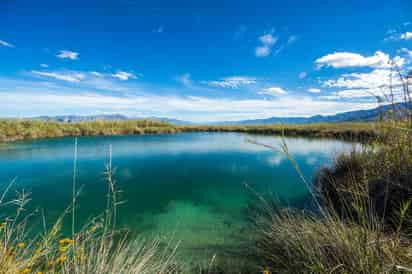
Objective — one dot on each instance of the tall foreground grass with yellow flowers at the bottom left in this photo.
(98, 247)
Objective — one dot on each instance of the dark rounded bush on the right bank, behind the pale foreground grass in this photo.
(376, 181)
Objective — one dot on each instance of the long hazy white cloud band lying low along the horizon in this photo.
(63, 100)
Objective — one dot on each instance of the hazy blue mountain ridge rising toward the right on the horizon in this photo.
(350, 116)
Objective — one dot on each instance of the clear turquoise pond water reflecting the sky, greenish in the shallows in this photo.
(186, 187)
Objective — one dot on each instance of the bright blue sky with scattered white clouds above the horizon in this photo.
(201, 61)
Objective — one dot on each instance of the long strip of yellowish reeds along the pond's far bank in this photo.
(14, 130)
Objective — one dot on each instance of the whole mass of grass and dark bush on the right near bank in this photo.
(363, 222)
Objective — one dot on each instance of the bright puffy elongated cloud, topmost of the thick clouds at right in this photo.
(349, 59)
